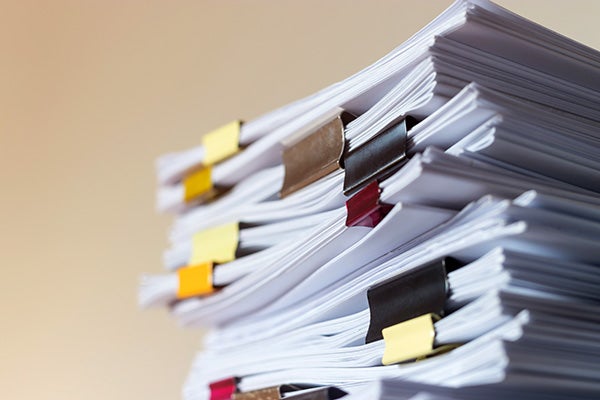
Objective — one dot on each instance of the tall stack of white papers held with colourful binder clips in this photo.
(428, 228)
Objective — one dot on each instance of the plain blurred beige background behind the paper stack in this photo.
(90, 93)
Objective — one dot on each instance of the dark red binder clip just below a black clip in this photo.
(365, 209)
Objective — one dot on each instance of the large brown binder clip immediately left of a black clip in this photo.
(314, 156)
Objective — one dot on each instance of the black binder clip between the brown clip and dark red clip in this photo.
(378, 158)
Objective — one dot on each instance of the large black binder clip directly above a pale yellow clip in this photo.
(416, 292)
